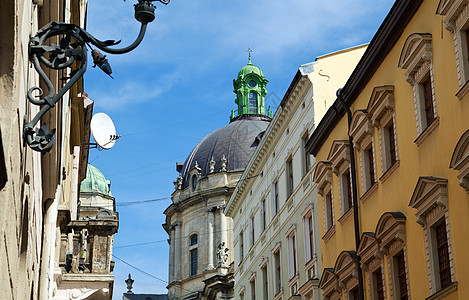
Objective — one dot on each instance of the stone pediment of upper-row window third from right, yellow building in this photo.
(381, 105)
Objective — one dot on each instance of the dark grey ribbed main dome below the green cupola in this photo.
(237, 141)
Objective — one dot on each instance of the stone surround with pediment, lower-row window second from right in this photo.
(431, 201)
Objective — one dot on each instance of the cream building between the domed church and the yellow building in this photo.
(273, 258)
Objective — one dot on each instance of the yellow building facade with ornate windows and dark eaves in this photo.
(405, 231)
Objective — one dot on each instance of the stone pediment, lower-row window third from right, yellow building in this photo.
(391, 227)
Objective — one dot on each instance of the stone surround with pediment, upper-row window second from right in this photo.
(416, 59)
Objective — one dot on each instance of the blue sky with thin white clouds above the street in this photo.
(177, 87)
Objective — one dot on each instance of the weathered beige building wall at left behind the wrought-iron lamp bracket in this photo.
(36, 190)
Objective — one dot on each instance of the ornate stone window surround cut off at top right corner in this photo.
(456, 21)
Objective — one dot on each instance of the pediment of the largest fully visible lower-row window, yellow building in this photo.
(429, 193)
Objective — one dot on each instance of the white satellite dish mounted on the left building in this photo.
(103, 130)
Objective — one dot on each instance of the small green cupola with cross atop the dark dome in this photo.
(250, 92)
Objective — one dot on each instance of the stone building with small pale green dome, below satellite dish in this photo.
(85, 256)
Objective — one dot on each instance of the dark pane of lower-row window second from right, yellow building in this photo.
(443, 255)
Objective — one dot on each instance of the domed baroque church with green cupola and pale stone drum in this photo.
(200, 235)
